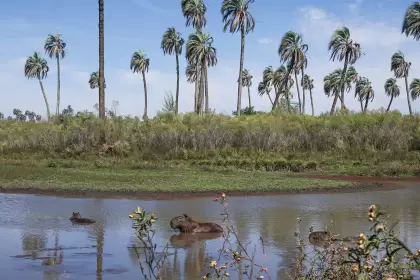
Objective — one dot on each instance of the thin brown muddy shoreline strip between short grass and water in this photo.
(359, 186)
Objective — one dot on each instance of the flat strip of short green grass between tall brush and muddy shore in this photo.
(159, 182)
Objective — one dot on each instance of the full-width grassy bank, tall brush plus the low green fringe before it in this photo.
(373, 144)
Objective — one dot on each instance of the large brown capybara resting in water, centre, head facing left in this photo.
(185, 223)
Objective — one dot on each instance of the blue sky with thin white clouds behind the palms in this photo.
(132, 25)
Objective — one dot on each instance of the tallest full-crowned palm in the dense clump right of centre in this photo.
(292, 52)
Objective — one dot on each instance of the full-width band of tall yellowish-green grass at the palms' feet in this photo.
(355, 136)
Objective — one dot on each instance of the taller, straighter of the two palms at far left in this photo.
(55, 47)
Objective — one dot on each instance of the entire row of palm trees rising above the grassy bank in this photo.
(237, 17)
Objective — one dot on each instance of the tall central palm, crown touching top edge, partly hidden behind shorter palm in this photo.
(194, 12)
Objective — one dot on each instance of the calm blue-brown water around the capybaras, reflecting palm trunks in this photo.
(36, 229)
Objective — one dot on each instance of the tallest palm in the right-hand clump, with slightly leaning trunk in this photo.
(342, 47)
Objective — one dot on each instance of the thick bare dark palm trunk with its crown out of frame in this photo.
(101, 61)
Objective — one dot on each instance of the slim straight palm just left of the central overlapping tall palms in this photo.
(172, 42)
